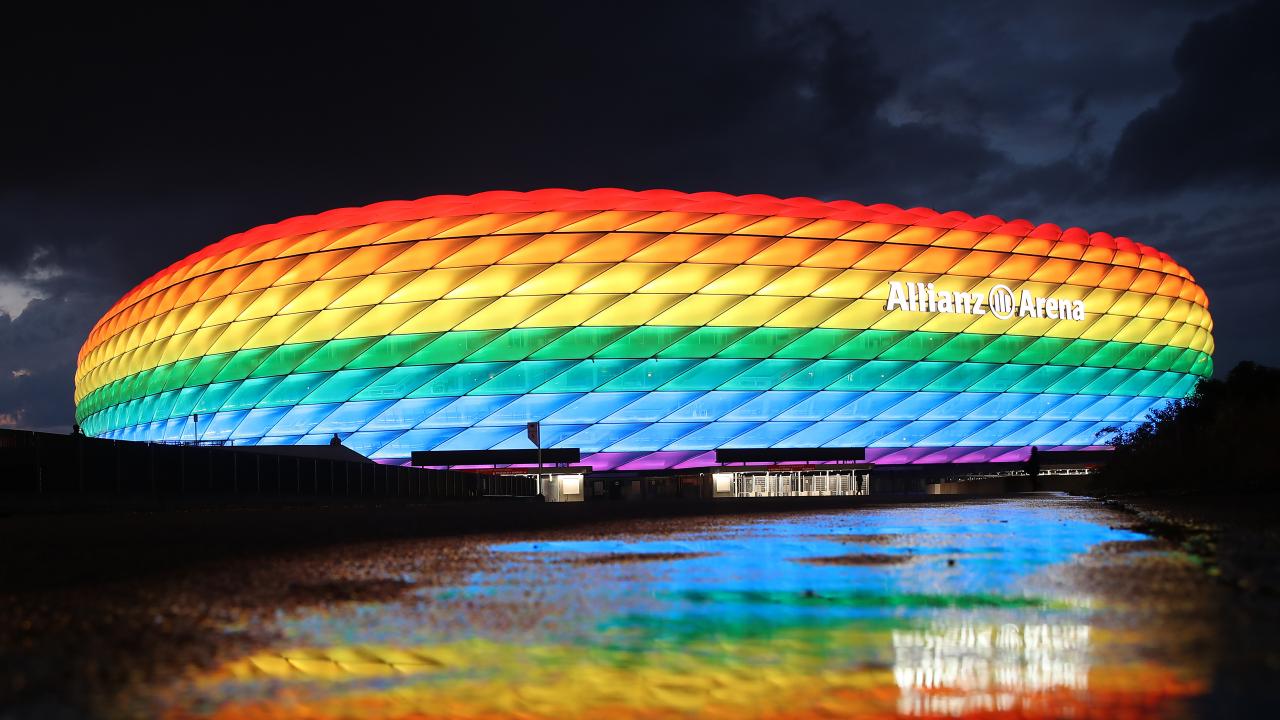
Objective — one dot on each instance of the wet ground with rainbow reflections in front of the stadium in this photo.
(1041, 607)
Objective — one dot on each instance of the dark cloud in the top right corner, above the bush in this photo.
(1220, 124)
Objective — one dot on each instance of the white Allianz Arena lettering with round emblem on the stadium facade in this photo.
(1003, 303)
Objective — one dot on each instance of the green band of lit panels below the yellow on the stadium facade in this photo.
(967, 354)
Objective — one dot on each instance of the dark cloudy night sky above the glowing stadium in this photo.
(132, 138)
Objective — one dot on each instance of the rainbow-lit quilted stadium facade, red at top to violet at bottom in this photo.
(648, 330)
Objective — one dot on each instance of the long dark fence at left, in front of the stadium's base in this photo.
(45, 464)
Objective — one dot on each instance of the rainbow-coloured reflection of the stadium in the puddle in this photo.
(945, 612)
